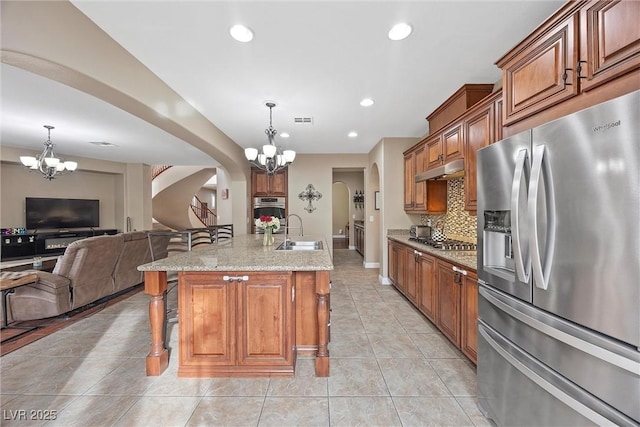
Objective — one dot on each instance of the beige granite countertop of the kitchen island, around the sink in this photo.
(246, 253)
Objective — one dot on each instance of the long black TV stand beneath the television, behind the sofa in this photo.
(16, 246)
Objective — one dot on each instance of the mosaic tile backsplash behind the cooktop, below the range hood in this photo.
(458, 224)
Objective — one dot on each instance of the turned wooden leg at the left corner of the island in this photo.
(155, 285)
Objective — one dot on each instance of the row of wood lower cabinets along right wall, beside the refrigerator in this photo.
(446, 293)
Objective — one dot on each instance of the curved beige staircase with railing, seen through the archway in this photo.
(173, 202)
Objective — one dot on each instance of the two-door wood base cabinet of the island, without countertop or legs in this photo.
(236, 324)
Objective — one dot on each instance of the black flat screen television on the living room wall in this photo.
(46, 213)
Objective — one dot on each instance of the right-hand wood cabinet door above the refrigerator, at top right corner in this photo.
(609, 41)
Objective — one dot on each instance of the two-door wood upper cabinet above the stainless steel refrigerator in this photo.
(582, 46)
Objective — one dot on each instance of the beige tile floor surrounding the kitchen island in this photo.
(389, 367)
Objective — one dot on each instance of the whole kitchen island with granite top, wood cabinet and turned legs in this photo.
(244, 309)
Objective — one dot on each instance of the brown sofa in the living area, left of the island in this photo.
(89, 269)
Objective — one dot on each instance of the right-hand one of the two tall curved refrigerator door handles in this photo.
(539, 168)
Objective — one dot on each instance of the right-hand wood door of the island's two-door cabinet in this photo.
(265, 320)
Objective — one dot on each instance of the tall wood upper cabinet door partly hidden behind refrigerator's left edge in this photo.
(478, 132)
